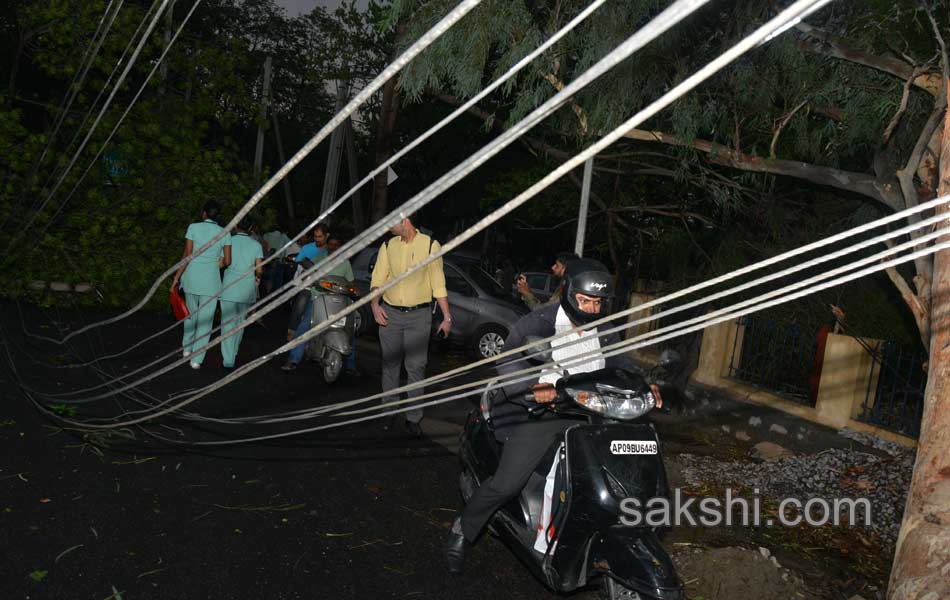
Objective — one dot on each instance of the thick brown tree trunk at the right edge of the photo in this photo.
(921, 569)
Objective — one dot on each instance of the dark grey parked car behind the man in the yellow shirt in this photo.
(482, 310)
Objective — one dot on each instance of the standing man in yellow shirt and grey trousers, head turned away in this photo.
(404, 315)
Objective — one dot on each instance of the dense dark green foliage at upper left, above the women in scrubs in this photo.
(189, 139)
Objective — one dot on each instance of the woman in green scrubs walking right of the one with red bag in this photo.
(246, 254)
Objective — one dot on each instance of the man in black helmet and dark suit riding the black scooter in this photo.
(585, 298)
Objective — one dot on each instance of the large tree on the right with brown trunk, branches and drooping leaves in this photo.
(853, 101)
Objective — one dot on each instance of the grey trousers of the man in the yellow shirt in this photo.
(405, 339)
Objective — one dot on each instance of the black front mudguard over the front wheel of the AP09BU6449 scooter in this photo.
(635, 558)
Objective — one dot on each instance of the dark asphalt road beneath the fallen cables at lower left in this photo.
(349, 513)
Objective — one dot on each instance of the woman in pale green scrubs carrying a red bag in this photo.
(201, 279)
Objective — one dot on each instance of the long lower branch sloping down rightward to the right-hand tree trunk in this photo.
(879, 190)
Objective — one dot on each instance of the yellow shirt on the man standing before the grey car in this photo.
(395, 258)
